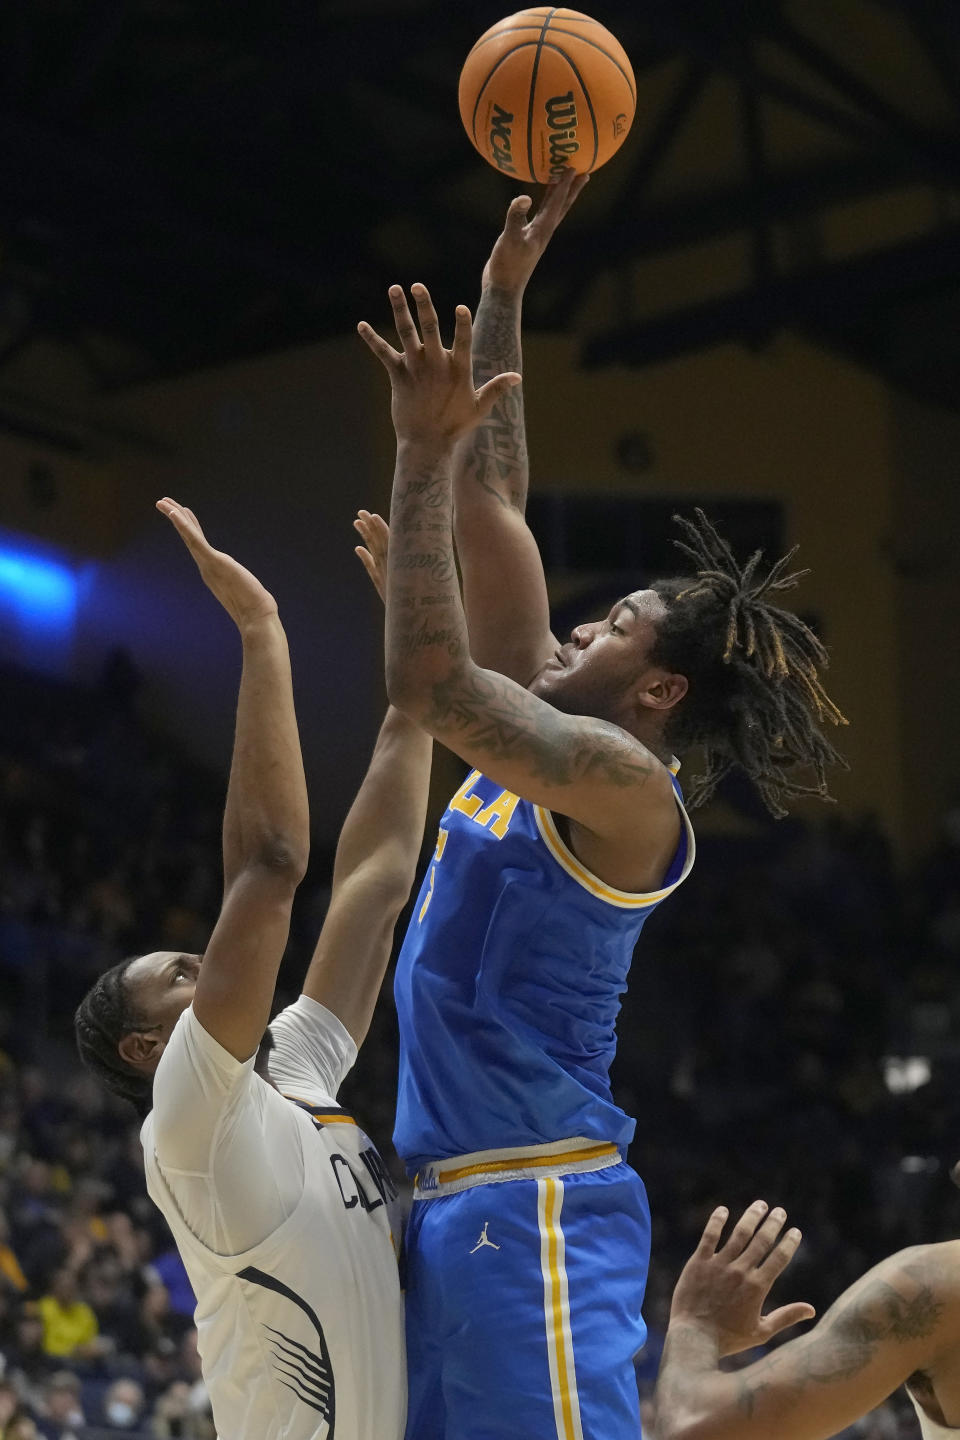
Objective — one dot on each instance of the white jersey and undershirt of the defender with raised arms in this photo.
(287, 1225)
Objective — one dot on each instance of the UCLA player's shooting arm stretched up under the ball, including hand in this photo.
(504, 587)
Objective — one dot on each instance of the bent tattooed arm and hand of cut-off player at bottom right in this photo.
(897, 1326)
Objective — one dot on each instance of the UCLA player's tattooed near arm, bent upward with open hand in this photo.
(585, 768)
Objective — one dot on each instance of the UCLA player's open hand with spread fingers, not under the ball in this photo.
(434, 397)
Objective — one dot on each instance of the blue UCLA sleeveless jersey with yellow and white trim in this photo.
(510, 981)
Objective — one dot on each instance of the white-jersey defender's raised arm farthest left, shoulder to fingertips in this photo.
(266, 822)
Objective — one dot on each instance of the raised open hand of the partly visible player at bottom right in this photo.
(723, 1291)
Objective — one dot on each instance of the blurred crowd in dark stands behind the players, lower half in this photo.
(789, 1035)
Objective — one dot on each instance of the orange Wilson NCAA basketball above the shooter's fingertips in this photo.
(545, 90)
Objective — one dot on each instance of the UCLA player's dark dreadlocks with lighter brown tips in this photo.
(755, 696)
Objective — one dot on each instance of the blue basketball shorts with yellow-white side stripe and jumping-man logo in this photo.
(523, 1308)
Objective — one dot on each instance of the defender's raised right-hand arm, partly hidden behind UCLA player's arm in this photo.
(378, 852)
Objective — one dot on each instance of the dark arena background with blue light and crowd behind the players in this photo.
(756, 306)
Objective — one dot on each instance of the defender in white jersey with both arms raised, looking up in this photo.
(280, 1205)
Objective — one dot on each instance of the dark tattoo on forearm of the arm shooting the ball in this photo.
(497, 459)
